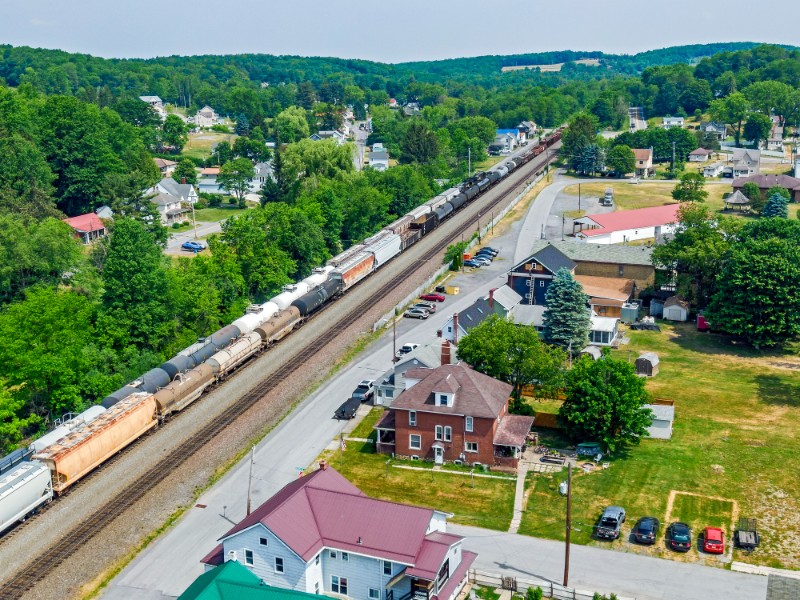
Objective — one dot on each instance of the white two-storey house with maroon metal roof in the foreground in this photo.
(320, 534)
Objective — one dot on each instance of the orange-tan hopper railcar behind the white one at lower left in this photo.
(86, 448)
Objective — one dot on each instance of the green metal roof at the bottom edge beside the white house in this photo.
(233, 581)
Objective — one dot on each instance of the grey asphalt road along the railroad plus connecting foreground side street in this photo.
(171, 563)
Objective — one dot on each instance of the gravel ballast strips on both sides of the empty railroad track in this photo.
(117, 541)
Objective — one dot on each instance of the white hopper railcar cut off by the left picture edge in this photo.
(22, 490)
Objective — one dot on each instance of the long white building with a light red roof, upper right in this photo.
(628, 225)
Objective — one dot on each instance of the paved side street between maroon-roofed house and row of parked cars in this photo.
(606, 571)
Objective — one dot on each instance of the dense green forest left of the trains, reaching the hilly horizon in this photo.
(77, 322)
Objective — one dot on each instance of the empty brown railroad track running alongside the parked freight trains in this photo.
(49, 560)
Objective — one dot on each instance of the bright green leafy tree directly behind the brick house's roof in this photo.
(512, 353)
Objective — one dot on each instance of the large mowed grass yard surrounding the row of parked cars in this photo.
(733, 452)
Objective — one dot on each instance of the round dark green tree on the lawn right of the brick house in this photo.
(605, 404)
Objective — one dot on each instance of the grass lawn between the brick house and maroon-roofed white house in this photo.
(489, 504)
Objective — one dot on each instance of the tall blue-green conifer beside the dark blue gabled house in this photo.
(566, 318)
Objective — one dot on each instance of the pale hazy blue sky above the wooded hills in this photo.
(387, 31)
